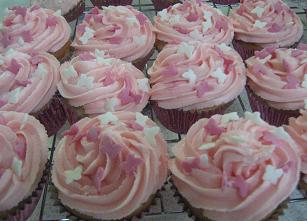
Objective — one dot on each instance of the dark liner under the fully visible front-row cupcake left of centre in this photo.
(75, 215)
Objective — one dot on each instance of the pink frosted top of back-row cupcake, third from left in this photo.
(193, 21)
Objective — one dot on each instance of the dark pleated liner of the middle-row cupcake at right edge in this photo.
(269, 114)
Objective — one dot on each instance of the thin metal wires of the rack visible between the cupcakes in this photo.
(147, 8)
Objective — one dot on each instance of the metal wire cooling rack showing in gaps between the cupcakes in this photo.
(149, 10)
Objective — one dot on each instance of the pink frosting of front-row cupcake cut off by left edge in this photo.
(23, 155)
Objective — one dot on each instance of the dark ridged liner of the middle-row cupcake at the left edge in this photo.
(53, 115)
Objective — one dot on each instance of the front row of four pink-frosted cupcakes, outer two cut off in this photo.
(227, 168)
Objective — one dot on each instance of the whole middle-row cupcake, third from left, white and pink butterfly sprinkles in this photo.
(192, 81)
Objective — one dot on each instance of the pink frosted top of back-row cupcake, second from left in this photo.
(122, 31)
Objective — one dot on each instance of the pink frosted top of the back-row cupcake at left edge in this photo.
(34, 29)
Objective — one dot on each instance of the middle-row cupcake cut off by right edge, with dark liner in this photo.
(277, 83)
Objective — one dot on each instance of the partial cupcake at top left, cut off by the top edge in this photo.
(70, 9)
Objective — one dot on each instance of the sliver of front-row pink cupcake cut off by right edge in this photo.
(297, 128)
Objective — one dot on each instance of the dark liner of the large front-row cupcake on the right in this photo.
(197, 214)
